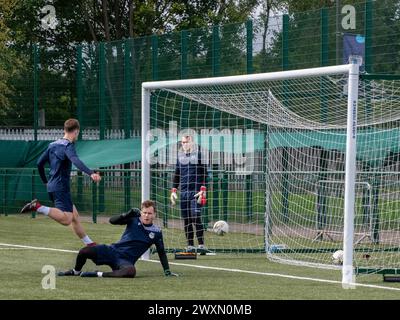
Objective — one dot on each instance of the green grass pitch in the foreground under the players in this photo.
(223, 276)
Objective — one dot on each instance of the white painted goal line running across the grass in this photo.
(223, 269)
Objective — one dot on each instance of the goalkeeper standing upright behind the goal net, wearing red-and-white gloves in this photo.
(190, 175)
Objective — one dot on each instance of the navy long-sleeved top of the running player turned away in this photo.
(60, 155)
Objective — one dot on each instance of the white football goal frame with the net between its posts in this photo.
(262, 100)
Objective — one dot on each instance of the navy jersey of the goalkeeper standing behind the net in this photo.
(190, 172)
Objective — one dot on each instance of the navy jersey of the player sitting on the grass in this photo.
(137, 238)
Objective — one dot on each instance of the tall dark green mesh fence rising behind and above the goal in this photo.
(100, 83)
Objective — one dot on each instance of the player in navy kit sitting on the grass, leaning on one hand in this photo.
(140, 234)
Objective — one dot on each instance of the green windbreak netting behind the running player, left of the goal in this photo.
(18, 185)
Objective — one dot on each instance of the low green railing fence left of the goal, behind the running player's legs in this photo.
(118, 191)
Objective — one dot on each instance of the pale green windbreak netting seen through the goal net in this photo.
(382, 142)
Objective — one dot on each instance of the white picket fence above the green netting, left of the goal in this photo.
(27, 134)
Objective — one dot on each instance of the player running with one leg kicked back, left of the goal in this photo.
(60, 155)
